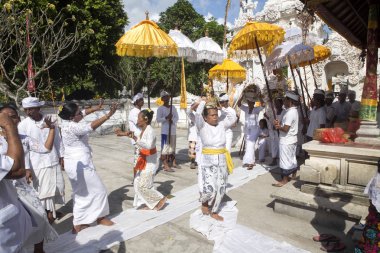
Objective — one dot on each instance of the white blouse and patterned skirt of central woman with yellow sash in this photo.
(212, 169)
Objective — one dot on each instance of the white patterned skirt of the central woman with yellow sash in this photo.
(212, 180)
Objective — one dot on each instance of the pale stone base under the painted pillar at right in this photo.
(369, 133)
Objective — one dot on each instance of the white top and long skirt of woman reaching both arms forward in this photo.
(89, 193)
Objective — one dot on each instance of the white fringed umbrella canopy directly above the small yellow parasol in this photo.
(207, 50)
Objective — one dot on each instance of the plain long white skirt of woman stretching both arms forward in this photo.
(89, 193)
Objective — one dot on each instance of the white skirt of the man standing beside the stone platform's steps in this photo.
(288, 160)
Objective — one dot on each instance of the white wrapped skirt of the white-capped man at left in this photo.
(50, 185)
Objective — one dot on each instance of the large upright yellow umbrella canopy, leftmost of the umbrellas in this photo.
(146, 39)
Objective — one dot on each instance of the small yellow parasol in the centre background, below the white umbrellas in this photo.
(228, 70)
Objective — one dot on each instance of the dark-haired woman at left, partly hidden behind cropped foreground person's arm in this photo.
(42, 230)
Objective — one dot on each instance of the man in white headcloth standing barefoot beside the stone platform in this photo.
(288, 128)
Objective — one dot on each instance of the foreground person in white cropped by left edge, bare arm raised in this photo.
(15, 221)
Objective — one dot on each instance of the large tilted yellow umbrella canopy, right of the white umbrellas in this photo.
(267, 35)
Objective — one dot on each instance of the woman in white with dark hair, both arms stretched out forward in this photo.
(89, 193)
